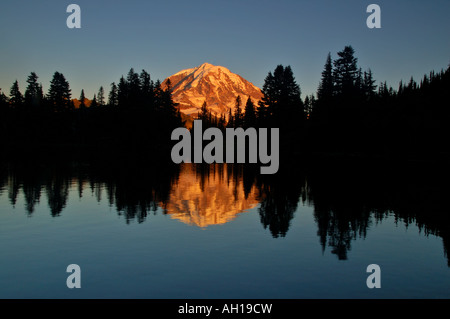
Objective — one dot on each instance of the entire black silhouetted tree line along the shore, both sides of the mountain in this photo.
(349, 113)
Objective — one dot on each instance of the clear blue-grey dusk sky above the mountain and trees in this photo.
(249, 37)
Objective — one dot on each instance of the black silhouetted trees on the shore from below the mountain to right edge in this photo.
(351, 114)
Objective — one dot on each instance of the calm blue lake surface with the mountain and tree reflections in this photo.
(223, 231)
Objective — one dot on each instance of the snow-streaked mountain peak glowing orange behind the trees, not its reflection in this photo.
(216, 85)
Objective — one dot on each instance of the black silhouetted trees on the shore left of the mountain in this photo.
(137, 112)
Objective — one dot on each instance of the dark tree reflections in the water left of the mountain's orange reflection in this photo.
(134, 191)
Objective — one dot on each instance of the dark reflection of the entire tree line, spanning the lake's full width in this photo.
(347, 198)
